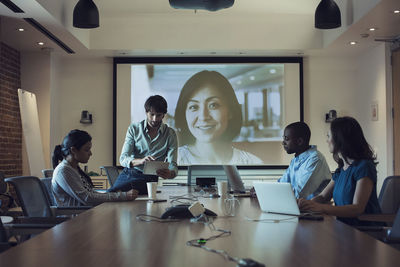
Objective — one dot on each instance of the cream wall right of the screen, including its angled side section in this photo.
(350, 86)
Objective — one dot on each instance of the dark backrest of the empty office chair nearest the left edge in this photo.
(32, 195)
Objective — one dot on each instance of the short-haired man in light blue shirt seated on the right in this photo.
(308, 170)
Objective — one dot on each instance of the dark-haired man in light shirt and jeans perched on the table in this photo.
(147, 140)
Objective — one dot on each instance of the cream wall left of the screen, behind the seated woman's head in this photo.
(84, 84)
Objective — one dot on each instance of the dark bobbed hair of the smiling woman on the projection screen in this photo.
(196, 82)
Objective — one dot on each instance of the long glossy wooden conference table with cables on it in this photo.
(111, 235)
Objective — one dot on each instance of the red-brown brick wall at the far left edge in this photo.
(10, 120)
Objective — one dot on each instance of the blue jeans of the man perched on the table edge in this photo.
(131, 178)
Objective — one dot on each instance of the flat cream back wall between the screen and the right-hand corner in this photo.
(328, 84)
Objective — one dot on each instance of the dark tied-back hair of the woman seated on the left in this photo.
(75, 138)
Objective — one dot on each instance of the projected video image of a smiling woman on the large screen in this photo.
(222, 113)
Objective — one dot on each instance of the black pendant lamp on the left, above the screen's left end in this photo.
(86, 15)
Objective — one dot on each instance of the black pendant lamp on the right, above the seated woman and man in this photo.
(327, 15)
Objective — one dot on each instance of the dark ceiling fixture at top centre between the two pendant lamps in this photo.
(214, 5)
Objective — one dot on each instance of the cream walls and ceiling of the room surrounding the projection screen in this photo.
(353, 79)
